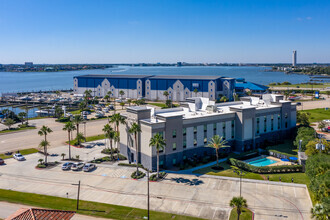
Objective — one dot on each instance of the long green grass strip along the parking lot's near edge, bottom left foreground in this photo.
(85, 207)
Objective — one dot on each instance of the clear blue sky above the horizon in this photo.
(166, 31)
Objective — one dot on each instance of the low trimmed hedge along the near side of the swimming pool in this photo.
(265, 169)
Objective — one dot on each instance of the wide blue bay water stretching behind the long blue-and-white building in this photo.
(36, 81)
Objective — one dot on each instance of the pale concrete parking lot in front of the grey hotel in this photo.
(204, 196)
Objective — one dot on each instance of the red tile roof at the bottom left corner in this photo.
(41, 214)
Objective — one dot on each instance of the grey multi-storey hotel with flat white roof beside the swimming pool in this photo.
(247, 124)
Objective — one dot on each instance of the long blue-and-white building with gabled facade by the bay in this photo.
(152, 87)
